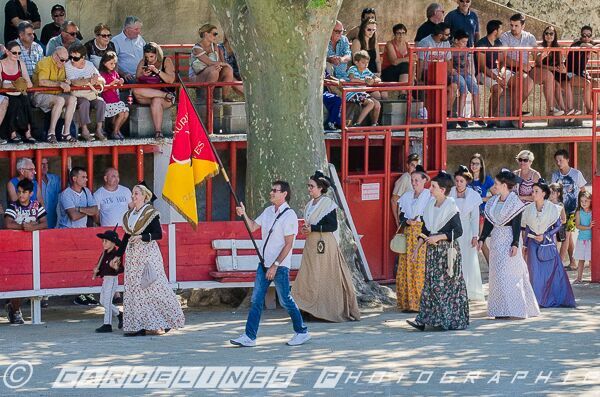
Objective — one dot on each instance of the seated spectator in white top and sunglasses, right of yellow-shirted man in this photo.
(81, 72)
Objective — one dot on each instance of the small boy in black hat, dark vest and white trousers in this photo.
(109, 267)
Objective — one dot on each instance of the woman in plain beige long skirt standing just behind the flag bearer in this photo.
(323, 287)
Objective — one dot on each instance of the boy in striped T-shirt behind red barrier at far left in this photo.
(25, 214)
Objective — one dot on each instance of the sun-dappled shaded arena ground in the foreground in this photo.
(555, 354)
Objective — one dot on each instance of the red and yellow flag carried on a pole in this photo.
(192, 161)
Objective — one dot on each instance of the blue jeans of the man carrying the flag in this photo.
(282, 284)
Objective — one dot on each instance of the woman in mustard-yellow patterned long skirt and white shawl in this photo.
(411, 270)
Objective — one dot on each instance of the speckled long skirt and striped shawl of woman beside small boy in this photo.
(155, 307)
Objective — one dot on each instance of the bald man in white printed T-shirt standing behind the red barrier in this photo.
(113, 200)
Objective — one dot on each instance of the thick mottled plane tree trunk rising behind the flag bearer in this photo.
(280, 46)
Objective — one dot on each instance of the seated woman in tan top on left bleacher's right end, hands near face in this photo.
(154, 68)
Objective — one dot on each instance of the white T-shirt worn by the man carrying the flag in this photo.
(286, 225)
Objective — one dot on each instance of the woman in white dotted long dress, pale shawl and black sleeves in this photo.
(510, 292)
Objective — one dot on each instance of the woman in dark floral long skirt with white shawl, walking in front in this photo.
(444, 301)
